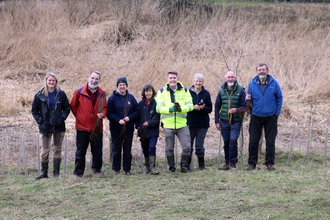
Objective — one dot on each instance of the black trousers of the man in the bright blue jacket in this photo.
(270, 126)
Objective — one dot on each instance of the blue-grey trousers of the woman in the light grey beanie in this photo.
(198, 134)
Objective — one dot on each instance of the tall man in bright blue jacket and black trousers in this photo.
(266, 98)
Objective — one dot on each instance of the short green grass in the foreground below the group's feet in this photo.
(297, 191)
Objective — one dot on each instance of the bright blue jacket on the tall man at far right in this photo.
(269, 103)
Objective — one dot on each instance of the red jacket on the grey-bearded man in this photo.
(82, 108)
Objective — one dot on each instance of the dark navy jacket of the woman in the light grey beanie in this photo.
(200, 119)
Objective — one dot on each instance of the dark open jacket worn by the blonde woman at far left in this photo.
(41, 111)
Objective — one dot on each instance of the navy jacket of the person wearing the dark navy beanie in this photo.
(119, 107)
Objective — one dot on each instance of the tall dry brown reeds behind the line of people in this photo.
(141, 43)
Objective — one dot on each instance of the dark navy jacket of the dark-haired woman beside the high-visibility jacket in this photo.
(151, 116)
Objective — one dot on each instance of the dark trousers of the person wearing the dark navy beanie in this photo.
(117, 146)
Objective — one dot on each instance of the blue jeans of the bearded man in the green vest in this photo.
(230, 134)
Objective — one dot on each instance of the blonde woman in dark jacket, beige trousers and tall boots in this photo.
(50, 108)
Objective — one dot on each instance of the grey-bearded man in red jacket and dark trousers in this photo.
(89, 106)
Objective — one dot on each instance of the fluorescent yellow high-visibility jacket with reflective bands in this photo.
(166, 98)
